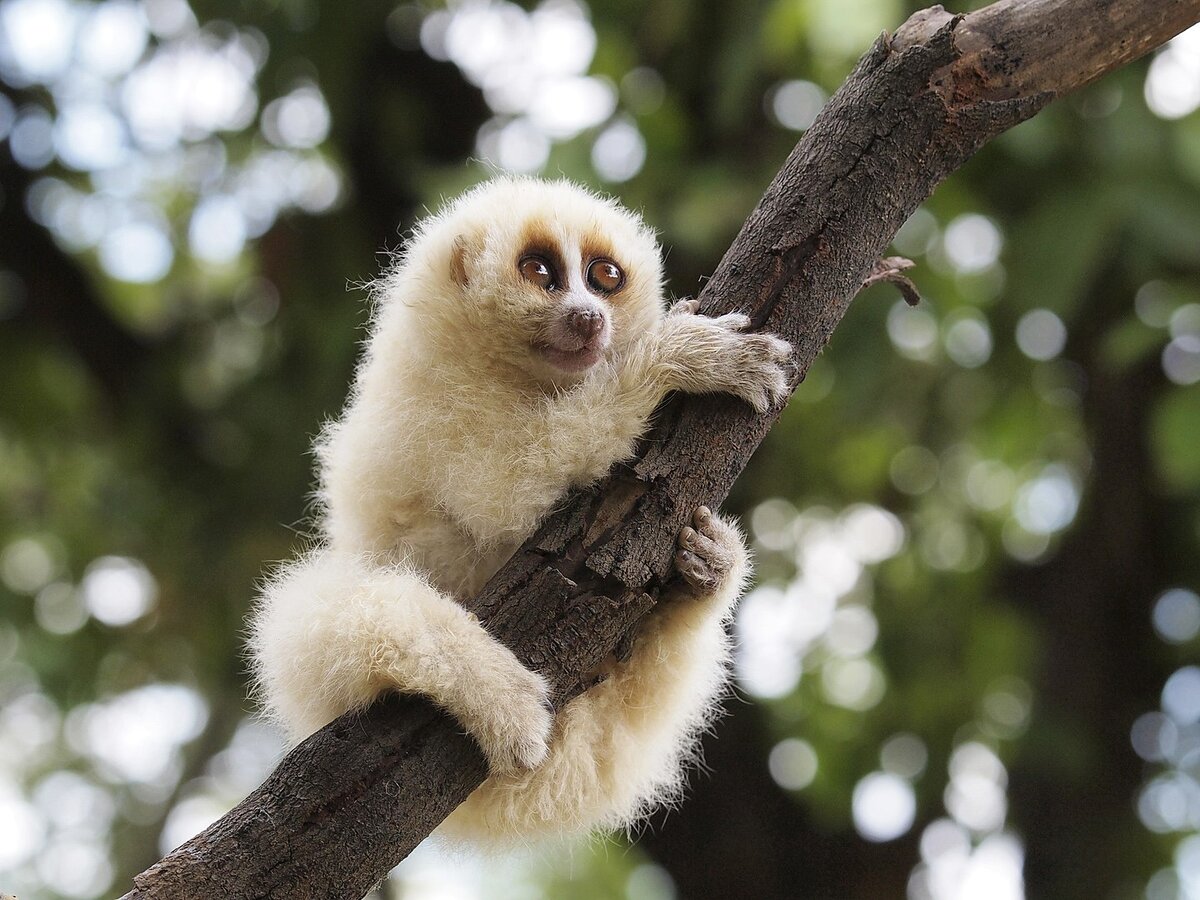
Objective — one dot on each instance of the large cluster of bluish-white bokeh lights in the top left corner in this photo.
(143, 97)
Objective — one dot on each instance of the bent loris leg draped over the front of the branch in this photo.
(335, 631)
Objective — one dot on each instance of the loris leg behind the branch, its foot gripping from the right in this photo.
(621, 748)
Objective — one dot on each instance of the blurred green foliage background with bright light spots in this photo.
(970, 668)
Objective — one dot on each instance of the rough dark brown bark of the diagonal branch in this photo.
(352, 801)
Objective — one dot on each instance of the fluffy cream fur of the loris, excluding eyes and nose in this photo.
(460, 436)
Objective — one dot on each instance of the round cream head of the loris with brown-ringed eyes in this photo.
(539, 278)
